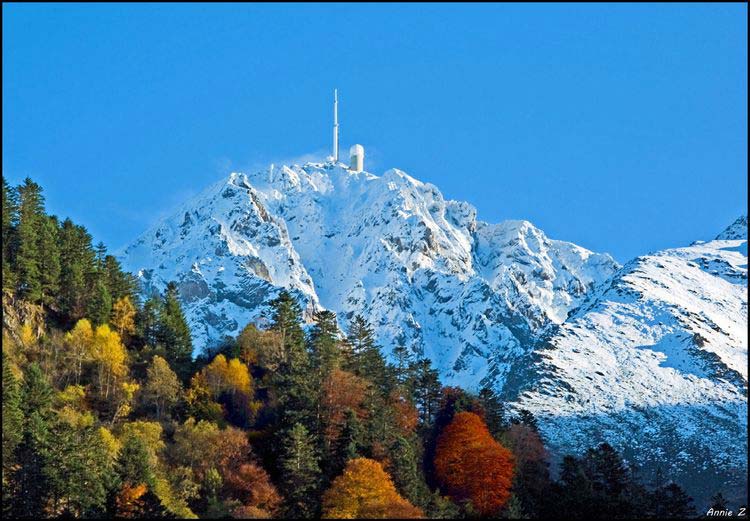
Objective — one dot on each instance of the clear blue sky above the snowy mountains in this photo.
(622, 128)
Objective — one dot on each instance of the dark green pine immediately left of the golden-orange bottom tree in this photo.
(300, 481)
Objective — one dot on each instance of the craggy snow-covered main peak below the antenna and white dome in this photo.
(467, 294)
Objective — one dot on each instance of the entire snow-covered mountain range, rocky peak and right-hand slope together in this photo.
(651, 356)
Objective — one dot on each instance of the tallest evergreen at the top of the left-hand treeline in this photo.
(31, 213)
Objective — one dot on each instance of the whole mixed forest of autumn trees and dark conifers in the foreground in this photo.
(107, 414)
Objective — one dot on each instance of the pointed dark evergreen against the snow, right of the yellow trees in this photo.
(174, 333)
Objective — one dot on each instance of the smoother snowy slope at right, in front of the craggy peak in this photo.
(655, 362)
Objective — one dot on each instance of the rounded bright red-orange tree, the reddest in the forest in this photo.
(470, 464)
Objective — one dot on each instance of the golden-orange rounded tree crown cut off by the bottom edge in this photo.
(366, 491)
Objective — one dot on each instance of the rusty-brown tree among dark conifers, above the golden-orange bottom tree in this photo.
(342, 390)
